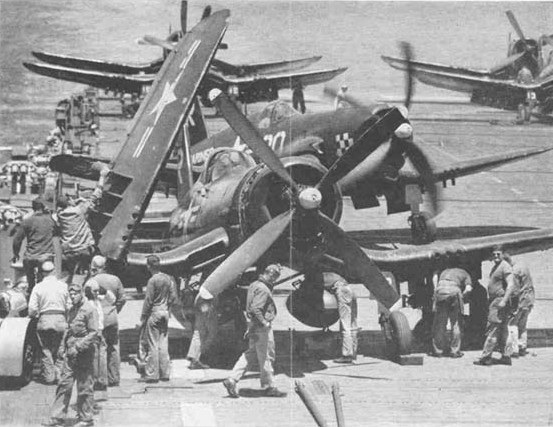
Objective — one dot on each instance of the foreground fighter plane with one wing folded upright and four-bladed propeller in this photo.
(251, 209)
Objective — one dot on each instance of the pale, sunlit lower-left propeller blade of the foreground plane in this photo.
(245, 256)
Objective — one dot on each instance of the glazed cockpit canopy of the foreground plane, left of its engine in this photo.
(224, 162)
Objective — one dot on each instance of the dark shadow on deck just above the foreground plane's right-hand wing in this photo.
(376, 239)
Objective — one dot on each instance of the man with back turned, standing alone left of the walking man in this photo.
(161, 294)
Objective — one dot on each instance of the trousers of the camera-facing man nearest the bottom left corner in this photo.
(80, 369)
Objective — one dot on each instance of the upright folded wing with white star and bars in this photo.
(154, 133)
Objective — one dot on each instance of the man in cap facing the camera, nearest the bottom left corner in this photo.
(78, 362)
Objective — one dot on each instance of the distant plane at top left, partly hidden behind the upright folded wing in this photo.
(246, 83)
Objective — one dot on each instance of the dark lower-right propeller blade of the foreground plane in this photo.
(358, 266)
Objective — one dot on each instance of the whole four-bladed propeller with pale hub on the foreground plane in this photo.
(308, 224)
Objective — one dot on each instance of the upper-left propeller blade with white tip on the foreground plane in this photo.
(250, 135)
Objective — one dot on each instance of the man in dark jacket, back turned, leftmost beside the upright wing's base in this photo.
(38, 229)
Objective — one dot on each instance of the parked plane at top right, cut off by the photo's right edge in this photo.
(524, 78)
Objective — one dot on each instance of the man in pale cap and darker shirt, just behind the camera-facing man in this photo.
(109, 284)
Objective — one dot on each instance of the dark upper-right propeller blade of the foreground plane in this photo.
(372, 134)
